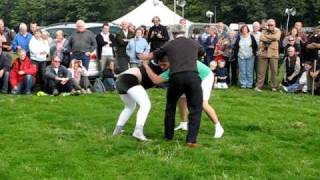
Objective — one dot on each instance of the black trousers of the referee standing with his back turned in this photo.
(190, 84)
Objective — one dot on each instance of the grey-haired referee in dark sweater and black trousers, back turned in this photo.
(184, 78)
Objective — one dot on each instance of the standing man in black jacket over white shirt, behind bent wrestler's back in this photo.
(122, 39)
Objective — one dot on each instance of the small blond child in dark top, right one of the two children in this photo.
(221, 76)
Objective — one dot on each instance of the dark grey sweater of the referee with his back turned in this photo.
(182, 54)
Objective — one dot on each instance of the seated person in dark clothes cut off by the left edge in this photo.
(4, 71)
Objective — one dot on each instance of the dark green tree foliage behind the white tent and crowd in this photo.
(52, 11)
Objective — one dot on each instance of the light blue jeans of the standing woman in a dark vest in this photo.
(246, 72)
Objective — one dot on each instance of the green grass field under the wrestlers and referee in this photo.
(267, 136)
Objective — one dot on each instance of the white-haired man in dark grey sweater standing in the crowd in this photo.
(82, 43)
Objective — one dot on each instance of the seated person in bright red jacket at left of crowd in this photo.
(23, 74)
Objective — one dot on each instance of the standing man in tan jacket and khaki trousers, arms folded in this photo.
(269, 55)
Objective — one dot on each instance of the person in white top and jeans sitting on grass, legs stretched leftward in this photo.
(302, 83)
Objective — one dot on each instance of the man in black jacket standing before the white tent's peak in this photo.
(158, 34)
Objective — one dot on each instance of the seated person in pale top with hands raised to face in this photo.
(79, 76)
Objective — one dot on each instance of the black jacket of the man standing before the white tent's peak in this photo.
(155, 41)
